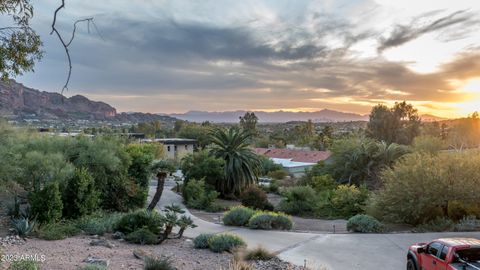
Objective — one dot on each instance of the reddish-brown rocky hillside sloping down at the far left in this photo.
(17, 101)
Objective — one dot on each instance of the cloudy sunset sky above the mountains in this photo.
(175, 56)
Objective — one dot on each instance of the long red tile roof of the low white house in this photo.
(294, 155)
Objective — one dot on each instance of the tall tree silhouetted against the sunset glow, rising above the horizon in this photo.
(399, 124)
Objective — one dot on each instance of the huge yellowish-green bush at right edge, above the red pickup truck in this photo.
(422, 187)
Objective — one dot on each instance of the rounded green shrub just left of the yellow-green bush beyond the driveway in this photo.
(299, 200)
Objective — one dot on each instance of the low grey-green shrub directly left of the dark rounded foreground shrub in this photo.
(99, 223)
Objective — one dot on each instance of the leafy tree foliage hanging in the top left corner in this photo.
(20, 46)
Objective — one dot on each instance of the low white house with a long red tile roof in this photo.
(295, 161)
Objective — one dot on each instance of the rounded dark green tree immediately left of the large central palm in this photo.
(202, 165)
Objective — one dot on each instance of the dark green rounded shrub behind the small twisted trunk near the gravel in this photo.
(131, 222)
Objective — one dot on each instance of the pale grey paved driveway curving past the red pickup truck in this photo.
(321, 251)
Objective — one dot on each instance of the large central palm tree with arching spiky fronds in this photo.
(242, 165)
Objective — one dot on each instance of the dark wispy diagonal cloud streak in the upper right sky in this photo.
(402, 34)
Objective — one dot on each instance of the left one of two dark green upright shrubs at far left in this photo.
(46, 204)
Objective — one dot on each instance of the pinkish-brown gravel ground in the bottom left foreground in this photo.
(70, 253)
